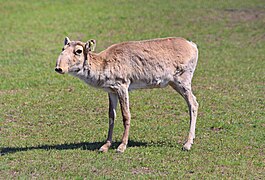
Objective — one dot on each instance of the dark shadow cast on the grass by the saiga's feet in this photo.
(91, 146)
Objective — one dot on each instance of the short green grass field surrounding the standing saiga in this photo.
(51, 125)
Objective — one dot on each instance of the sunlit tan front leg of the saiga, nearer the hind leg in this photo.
(123, 96)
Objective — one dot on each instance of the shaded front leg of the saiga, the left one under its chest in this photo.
(113, 99)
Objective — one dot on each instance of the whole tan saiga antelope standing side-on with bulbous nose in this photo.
(133, 65)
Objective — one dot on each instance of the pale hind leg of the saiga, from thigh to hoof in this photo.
(182, 84)
